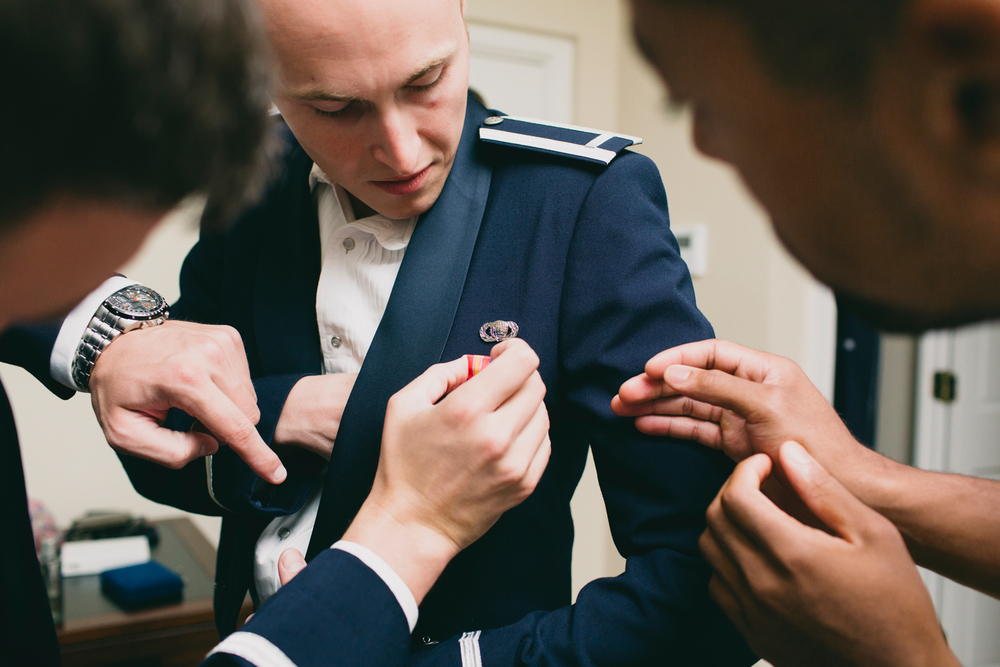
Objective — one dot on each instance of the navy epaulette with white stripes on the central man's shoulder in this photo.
(555, 138)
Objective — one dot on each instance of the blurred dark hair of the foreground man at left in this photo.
(141, 101)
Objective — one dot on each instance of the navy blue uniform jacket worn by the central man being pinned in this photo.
(581, 257)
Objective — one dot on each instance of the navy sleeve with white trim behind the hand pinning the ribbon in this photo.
(335, 612)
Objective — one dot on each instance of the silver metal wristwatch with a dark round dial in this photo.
(132, 307)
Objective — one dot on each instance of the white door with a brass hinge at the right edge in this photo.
(962, 436)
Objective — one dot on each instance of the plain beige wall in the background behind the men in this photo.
(751, 293)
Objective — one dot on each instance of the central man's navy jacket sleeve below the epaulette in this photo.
(628, 296)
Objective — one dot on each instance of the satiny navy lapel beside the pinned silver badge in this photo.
(412, 334)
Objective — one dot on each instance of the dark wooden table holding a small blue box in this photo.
(96, 631)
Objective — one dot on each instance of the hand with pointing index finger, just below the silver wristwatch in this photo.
(201, 369)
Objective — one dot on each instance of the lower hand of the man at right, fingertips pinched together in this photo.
(848, 594)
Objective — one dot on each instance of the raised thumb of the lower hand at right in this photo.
(828, 499)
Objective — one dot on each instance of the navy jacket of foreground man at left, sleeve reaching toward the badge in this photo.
(336, 612)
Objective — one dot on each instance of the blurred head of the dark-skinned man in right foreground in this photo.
(869, 129)
